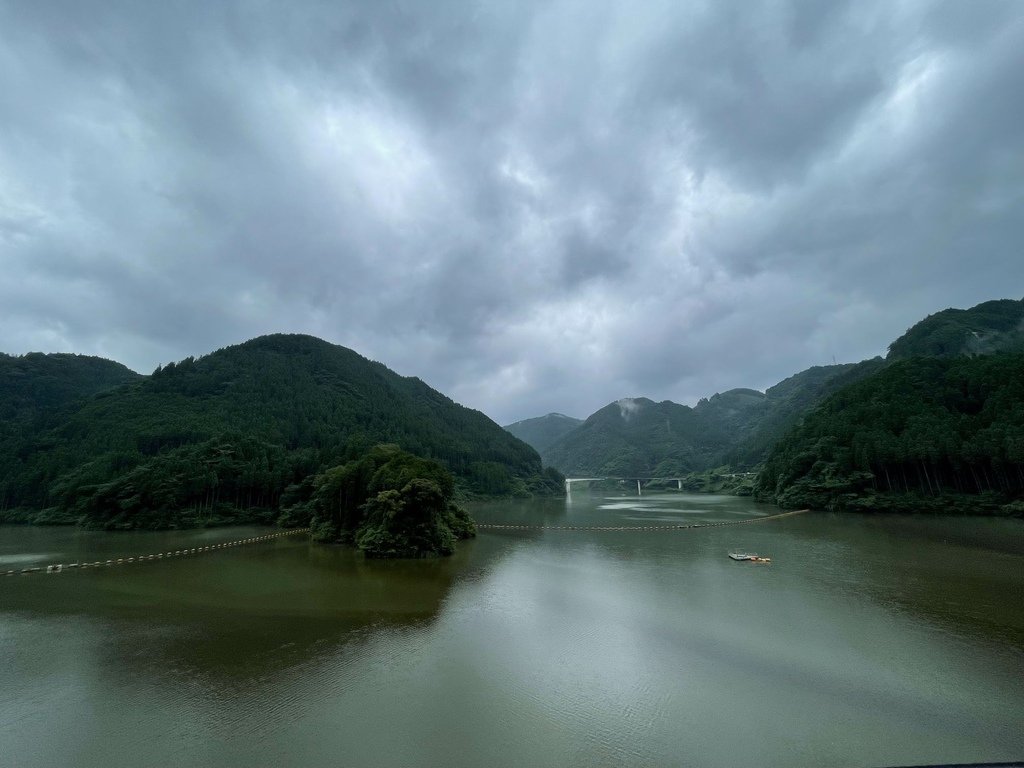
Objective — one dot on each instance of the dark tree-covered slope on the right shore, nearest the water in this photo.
(942, 435)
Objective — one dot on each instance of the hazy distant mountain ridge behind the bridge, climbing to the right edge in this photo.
(741, 428)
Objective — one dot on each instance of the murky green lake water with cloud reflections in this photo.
(868, 642)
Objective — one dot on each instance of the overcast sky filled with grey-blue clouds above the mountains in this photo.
(533, 207)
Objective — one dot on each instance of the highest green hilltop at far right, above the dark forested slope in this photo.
(988, 328)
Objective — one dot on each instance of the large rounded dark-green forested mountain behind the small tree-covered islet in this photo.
(211, 439)
